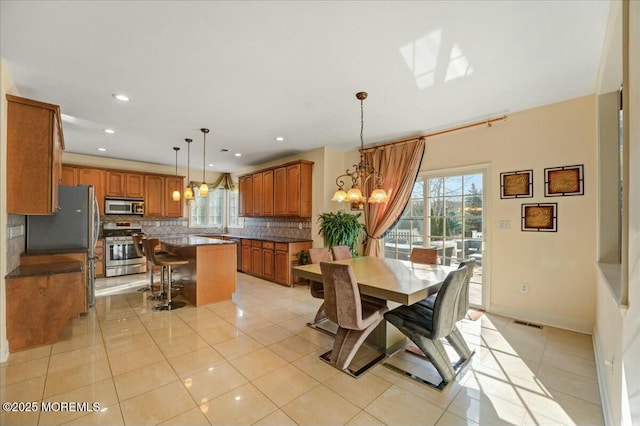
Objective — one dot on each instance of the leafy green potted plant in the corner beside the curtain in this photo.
(340, 229)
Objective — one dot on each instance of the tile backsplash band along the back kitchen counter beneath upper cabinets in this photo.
(253, 226)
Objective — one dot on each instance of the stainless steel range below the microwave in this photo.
(120, 254)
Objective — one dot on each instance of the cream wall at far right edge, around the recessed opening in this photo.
(617, 329)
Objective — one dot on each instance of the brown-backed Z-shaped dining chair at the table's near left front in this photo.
(356, 319)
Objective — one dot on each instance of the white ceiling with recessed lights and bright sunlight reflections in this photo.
(251, 71)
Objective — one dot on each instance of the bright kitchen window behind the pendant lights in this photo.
(218, 209)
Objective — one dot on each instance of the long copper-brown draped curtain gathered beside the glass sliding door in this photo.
(399, 164)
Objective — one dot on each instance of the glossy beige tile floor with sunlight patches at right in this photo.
(253, 361)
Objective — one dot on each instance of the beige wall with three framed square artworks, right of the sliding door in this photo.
(559, 266)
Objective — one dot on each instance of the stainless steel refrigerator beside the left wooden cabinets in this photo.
(74, 228)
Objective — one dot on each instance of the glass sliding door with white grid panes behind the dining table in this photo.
(445, 212)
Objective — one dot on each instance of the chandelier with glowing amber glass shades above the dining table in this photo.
(361, 174)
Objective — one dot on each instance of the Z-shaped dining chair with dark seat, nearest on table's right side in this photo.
(426, 327)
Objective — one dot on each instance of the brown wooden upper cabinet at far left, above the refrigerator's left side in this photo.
(34, 156)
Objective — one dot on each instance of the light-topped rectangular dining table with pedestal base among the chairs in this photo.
(390, 282)
